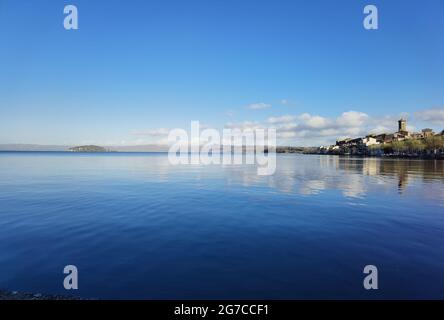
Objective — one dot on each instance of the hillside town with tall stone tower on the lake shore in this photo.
(426, 143)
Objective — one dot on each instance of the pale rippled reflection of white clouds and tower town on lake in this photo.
(311, 175)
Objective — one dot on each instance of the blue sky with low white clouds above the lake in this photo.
(135, 67)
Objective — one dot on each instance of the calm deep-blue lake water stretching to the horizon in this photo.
(137, 227)
